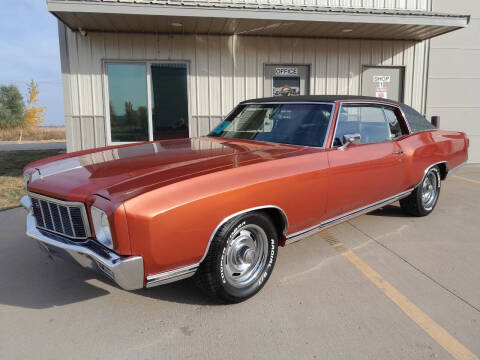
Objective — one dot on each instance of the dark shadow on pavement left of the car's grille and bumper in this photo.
(30, 279)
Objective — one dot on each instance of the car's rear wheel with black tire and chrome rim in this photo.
(423, 199)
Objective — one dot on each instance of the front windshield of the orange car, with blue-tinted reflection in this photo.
(296, 124)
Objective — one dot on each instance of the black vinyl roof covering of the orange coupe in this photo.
(416, 121)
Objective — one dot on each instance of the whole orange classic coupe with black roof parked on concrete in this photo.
(218, 207)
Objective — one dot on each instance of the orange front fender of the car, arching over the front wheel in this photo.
(171, 226)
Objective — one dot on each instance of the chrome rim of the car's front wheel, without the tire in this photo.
(246, 255)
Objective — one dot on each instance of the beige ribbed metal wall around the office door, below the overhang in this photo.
(223, 70)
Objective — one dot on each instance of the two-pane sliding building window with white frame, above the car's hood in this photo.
(147, 101)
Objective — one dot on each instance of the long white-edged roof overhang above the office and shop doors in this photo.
(189, 17)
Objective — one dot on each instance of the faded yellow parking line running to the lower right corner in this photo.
(439, 334)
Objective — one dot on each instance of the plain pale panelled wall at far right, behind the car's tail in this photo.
(454, 76)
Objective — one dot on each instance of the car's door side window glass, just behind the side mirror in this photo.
(367, 120)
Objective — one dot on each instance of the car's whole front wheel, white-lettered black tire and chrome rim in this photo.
(240, 259)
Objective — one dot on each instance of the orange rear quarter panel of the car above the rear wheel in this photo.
(423, 149)
